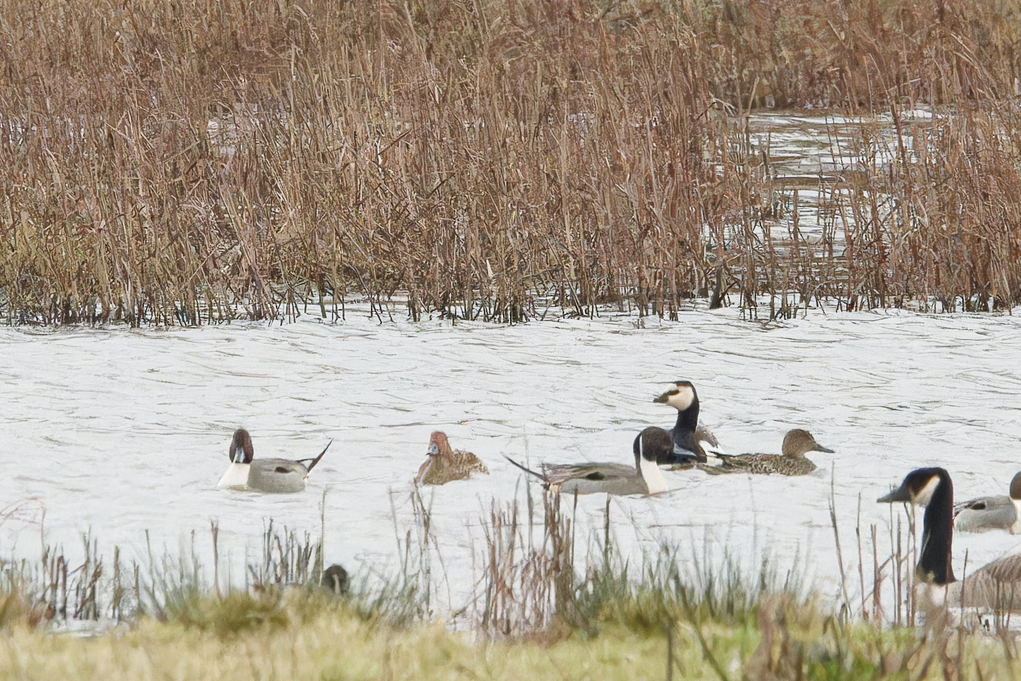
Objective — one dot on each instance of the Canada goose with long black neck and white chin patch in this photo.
(997, 587)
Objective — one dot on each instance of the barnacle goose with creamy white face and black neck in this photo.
(687, 443)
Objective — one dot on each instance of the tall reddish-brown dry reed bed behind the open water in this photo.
(185, 163)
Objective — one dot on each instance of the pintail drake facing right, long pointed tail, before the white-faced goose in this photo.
(643, 478)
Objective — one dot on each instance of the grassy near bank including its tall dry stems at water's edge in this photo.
(543, 612)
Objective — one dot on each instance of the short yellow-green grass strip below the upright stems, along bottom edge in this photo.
(305, 636)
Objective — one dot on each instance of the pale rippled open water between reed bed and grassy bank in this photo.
(121, 432)
